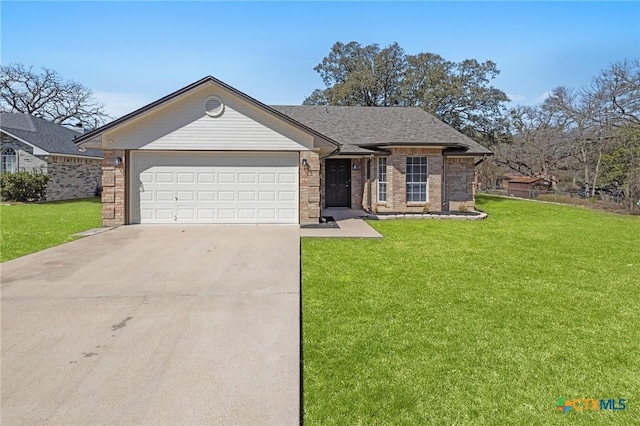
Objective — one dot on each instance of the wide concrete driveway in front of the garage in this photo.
(155, 325)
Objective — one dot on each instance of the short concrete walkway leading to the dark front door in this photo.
(350, 225)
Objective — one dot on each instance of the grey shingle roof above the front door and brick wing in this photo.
(357, 128)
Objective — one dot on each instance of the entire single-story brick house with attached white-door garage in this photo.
(209, 153)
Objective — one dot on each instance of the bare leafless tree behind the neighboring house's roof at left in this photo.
(47, 95)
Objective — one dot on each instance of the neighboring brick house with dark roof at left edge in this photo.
(35, 145)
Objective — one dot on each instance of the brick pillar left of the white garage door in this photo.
(113, 189)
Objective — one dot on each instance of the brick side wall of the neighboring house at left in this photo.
(71, 177)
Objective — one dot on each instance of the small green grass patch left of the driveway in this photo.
(27, 228)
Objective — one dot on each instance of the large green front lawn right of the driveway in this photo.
(474, 322)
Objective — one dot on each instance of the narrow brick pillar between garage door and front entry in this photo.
(309, 187)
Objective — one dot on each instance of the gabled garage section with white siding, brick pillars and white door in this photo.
(209, 153)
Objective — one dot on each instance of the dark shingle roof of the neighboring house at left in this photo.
(50, 137)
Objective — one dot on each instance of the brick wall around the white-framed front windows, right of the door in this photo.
(397, 181)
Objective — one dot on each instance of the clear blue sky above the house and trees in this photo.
(131, 53)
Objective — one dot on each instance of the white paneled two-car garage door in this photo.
(203, 187)
